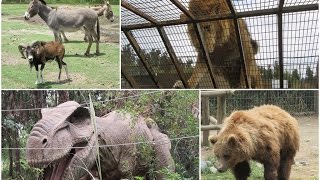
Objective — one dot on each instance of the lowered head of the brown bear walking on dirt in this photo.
(229, 149)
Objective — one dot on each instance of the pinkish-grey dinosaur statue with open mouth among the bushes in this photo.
(52, 141)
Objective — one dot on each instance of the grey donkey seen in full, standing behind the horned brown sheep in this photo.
(67, 20)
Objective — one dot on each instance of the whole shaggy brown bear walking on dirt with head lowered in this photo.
(266, 134)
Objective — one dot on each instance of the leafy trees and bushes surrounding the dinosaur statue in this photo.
(172, 111)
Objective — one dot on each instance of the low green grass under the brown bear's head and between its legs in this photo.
(256, 173)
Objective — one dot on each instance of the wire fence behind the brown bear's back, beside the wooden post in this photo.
(298, 103)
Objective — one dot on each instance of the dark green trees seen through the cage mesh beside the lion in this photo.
(162, 66)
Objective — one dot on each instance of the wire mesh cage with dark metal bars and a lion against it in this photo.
(219, 44)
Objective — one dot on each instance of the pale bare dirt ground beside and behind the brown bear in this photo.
(308, 152)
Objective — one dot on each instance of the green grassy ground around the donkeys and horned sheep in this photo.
(86, 72)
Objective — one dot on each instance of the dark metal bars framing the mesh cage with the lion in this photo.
(278, 11)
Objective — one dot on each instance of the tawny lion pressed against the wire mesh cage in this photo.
(221, 42)
